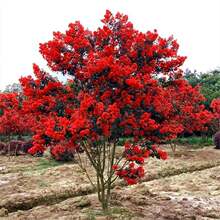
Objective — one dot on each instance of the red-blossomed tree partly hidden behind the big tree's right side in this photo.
(193, 115)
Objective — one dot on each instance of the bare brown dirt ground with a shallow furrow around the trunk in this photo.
(186, 186)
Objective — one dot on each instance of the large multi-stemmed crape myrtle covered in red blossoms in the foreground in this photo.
(125, 83)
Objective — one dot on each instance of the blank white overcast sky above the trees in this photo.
(26, 23)
